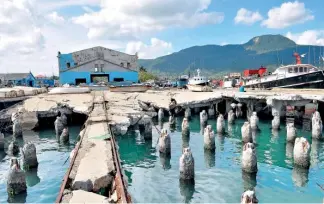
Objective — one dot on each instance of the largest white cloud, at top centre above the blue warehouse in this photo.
(131, 18)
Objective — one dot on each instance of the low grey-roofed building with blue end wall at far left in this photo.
(18, 79)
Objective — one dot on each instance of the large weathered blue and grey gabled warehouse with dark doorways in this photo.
(97, 64)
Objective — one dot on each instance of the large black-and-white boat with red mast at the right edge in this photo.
(290, 76)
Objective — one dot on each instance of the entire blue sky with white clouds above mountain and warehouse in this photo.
(33, 31)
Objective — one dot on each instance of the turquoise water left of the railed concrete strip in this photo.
(43, 184)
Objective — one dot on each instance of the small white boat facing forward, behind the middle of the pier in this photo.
(199, 83)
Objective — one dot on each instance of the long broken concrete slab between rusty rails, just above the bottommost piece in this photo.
(96, 169)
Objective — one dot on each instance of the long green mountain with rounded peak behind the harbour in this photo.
(266, 50)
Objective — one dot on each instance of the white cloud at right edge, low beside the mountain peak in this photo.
(309, 37)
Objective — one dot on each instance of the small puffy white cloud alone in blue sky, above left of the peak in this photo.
(247, 17)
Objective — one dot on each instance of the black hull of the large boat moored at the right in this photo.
(309, 80)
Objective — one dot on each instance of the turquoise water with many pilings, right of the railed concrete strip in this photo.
(218, 177)
